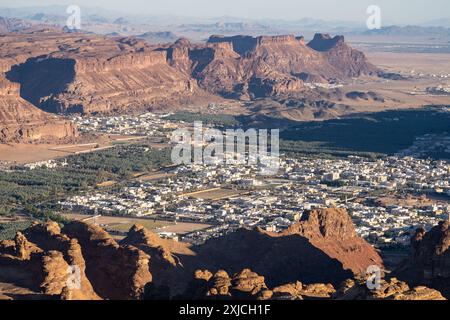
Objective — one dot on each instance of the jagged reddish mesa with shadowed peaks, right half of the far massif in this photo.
(276, 65)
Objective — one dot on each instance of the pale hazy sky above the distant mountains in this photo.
(398, 11)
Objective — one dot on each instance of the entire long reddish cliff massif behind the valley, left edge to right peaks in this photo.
(70, 72)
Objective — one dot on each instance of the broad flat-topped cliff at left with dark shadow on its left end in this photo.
(87, 74)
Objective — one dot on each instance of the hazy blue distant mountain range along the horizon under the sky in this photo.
(224, 24)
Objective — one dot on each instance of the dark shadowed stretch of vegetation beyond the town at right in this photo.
(365, 134)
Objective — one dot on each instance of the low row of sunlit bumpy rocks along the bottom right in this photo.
(248, 285)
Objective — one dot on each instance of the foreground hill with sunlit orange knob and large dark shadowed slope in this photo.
(324, 238)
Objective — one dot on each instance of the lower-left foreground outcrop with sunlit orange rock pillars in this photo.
(82, 262)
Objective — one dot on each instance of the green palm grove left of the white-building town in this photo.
(35, 191)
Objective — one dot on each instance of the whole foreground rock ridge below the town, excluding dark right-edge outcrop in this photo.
(46, 259)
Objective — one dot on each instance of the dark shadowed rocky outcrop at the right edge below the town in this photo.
(429, 261)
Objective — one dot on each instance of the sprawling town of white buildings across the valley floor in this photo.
(385, 197)
